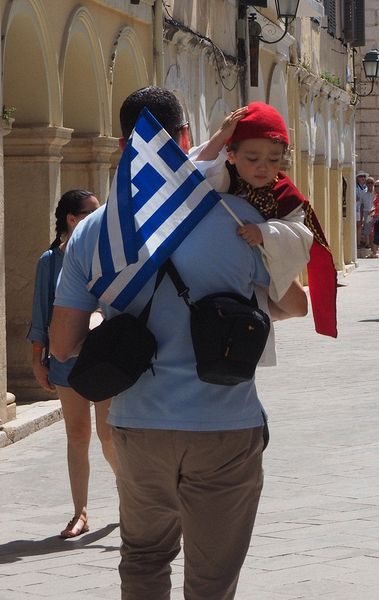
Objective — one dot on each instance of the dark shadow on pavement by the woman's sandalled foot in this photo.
(19, 549)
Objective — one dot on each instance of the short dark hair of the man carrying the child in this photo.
(162, 103)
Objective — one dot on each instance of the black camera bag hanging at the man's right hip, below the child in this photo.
(229, 333)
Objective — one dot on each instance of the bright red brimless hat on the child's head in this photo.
(261, 121)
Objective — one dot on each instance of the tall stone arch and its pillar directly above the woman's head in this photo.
(86, 161)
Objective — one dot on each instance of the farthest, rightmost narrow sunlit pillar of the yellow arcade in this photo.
(335, 208)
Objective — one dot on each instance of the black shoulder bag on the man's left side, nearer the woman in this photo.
(115, 354)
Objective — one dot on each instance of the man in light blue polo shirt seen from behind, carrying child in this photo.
(189, 452)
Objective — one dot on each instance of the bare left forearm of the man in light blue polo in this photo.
(68, 329)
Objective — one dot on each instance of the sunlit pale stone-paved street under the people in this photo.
(317, 531)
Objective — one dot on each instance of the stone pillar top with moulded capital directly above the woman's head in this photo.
(86, 164)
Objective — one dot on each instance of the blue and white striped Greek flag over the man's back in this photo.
(156, 199)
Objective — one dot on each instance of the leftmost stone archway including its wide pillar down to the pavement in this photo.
(32, 155)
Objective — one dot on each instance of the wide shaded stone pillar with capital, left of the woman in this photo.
(32, 158)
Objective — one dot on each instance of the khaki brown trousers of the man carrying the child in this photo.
(202, 485)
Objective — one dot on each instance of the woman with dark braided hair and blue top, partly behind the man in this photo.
(51, 374)
